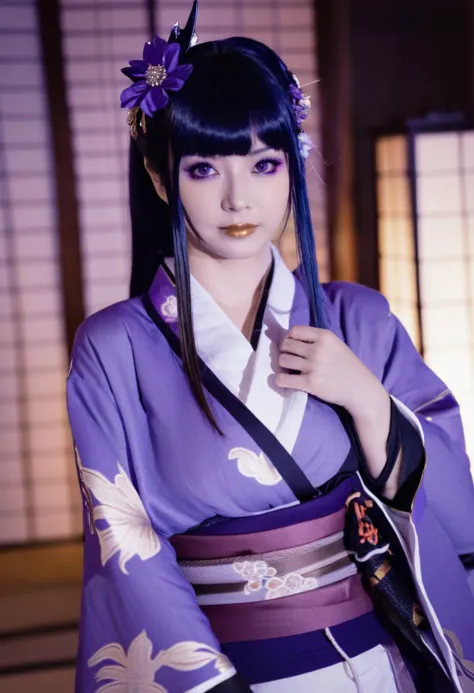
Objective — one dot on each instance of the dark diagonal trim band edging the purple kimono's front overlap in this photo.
(265, 439)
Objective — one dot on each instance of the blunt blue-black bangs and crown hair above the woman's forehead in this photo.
(228, 102)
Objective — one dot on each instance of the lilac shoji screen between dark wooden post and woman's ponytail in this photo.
(98, 39)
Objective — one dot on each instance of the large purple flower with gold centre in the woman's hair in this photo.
(153, 76)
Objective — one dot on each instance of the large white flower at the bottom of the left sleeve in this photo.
(136, 670)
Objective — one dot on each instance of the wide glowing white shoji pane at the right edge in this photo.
(445, 223)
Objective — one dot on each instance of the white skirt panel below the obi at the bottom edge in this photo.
(373, 667)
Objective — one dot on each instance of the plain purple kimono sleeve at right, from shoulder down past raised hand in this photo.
(363, 318)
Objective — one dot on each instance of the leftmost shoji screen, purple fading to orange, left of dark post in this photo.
(37, 487)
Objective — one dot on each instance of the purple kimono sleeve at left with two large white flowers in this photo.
(141, 628)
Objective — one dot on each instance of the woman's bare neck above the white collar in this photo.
(236, 285)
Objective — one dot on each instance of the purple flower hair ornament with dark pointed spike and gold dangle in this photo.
(158, 73)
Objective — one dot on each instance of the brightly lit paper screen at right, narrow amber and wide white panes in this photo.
(440, 220)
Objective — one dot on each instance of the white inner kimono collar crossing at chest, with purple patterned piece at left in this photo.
(247, 373)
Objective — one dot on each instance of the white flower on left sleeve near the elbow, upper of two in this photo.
(129, 532)
